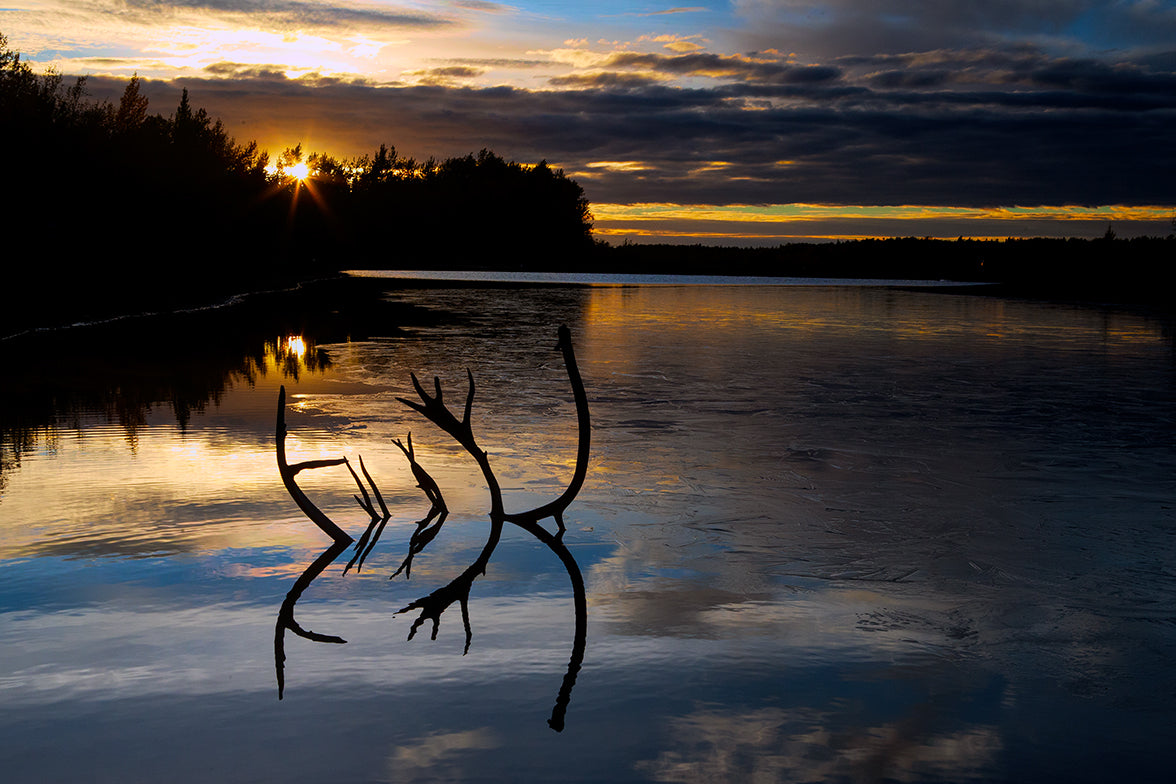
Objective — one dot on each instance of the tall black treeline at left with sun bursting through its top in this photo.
(111, 209)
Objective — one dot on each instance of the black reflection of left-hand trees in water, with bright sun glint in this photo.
(119, 372)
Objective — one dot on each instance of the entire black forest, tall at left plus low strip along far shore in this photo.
(110, 209)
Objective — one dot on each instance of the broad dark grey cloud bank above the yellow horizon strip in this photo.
(971, 129)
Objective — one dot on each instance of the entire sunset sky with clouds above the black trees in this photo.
(753, 122)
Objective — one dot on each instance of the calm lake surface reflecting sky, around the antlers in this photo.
(827, 535)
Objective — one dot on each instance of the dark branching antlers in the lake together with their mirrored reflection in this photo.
(433, 606)
